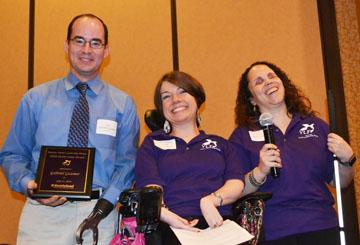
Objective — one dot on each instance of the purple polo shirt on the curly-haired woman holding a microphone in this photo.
(301, 201)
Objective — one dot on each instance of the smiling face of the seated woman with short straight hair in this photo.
(179, 107)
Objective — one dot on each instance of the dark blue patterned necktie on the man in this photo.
(79, 126)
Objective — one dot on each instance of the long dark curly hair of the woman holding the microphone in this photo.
(295, 100)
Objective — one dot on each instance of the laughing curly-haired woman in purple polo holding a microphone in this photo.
(301, 209)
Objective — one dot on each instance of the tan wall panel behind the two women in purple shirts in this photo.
(219, 39)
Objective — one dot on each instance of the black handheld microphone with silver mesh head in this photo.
(266, 121)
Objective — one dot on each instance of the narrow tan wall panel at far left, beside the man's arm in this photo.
(13, 76)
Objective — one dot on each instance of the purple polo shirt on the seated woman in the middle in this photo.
(186, 171)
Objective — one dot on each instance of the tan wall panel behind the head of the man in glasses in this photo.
(139, 39)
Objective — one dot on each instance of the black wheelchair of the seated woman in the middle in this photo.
(139, 210)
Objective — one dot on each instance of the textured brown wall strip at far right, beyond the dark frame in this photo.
(348, 19)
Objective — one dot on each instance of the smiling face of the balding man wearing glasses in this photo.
(85, 62)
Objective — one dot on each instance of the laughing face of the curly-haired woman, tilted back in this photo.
(266, 88)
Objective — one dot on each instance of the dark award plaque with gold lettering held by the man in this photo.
(65, 171)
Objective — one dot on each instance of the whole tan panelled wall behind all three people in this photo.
(217, 40)
